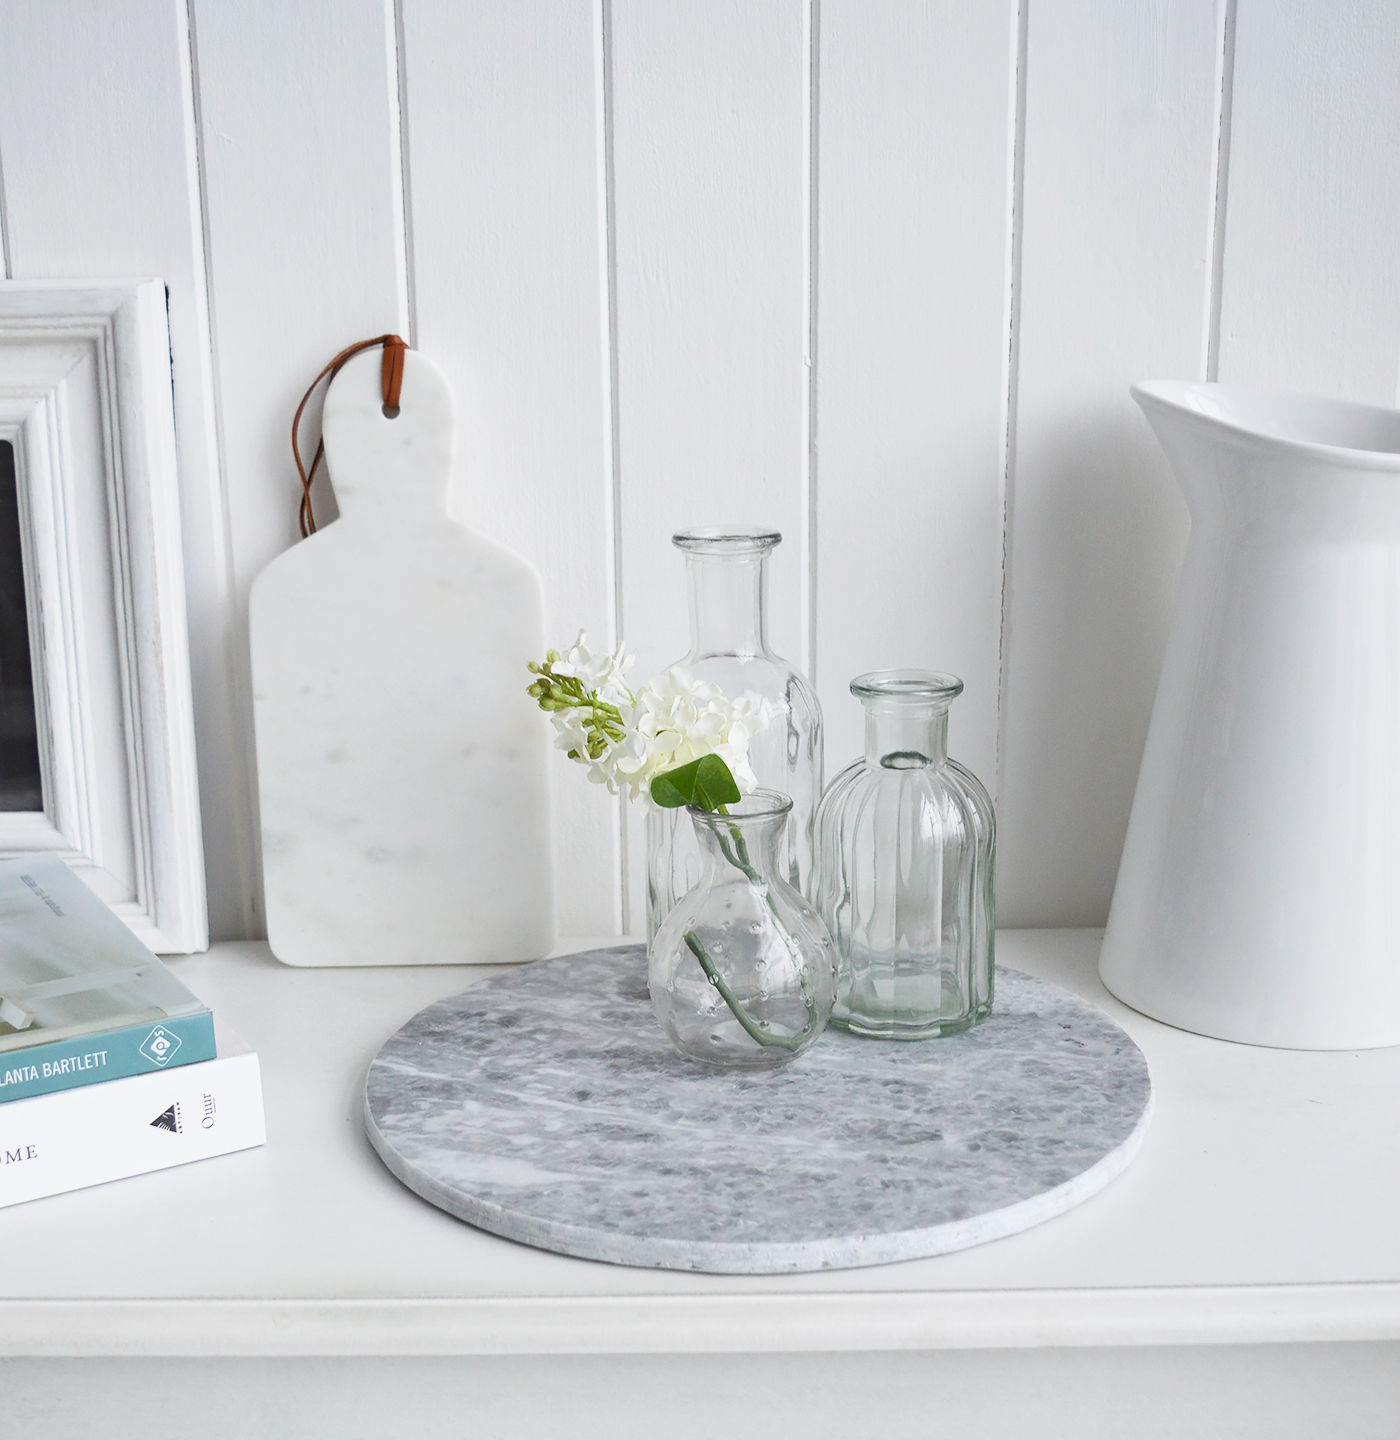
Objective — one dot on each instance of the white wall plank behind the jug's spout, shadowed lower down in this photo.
(1120, 126)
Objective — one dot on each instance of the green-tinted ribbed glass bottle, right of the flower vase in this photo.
(905, 843)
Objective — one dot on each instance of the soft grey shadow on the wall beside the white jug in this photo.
(1098, 532)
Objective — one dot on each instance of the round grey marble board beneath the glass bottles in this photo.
(548, 1107)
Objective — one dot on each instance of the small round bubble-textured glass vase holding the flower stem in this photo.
(742, 971)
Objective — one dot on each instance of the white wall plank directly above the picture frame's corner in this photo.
(102, 179)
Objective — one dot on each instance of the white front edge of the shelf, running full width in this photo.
(620, 1326)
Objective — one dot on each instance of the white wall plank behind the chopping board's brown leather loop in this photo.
(299, 109)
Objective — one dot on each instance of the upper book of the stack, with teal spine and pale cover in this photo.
(81, 997)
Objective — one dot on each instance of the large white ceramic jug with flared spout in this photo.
(1260, 891)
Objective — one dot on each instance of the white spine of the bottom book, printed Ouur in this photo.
(76, 1138)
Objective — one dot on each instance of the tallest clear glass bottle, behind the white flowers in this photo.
(728, 574)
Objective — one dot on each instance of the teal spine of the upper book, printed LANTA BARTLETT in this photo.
(132, 1050)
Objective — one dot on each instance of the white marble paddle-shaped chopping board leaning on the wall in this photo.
(403, 770)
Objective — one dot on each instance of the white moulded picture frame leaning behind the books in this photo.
(86, 401)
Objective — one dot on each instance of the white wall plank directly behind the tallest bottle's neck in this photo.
(709, 110)
